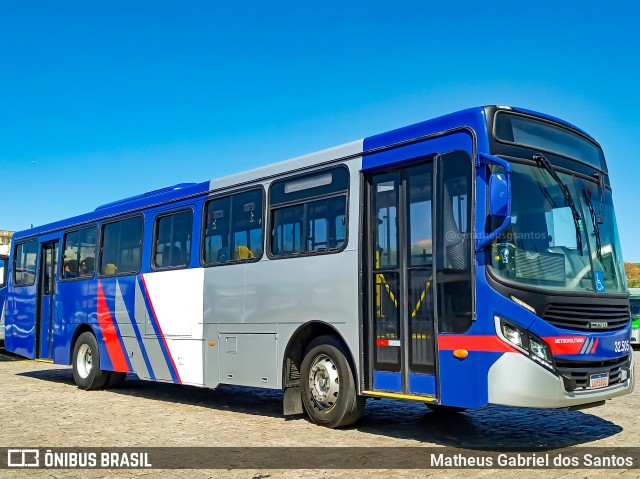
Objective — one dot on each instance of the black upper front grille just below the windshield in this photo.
(582, 317)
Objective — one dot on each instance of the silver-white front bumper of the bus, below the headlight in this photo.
(515, 380)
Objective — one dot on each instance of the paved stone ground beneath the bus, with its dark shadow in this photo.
(42, 407)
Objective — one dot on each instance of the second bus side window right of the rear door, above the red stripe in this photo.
(121, 247)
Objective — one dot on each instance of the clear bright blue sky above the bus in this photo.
(104, 100)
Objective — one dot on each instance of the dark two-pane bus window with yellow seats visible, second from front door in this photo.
(233, 228)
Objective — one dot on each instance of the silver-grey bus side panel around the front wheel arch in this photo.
(262, 304)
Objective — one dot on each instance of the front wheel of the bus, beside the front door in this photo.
(328, 387)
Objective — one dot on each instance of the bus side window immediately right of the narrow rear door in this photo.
(79, 257)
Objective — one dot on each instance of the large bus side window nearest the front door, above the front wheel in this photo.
(305, 223)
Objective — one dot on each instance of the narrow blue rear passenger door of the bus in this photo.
(46, 292)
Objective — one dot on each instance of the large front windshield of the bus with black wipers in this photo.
(547, 247)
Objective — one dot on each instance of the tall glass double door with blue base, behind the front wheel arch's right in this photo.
(401, 324)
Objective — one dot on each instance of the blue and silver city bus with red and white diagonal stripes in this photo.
(468, 259)
